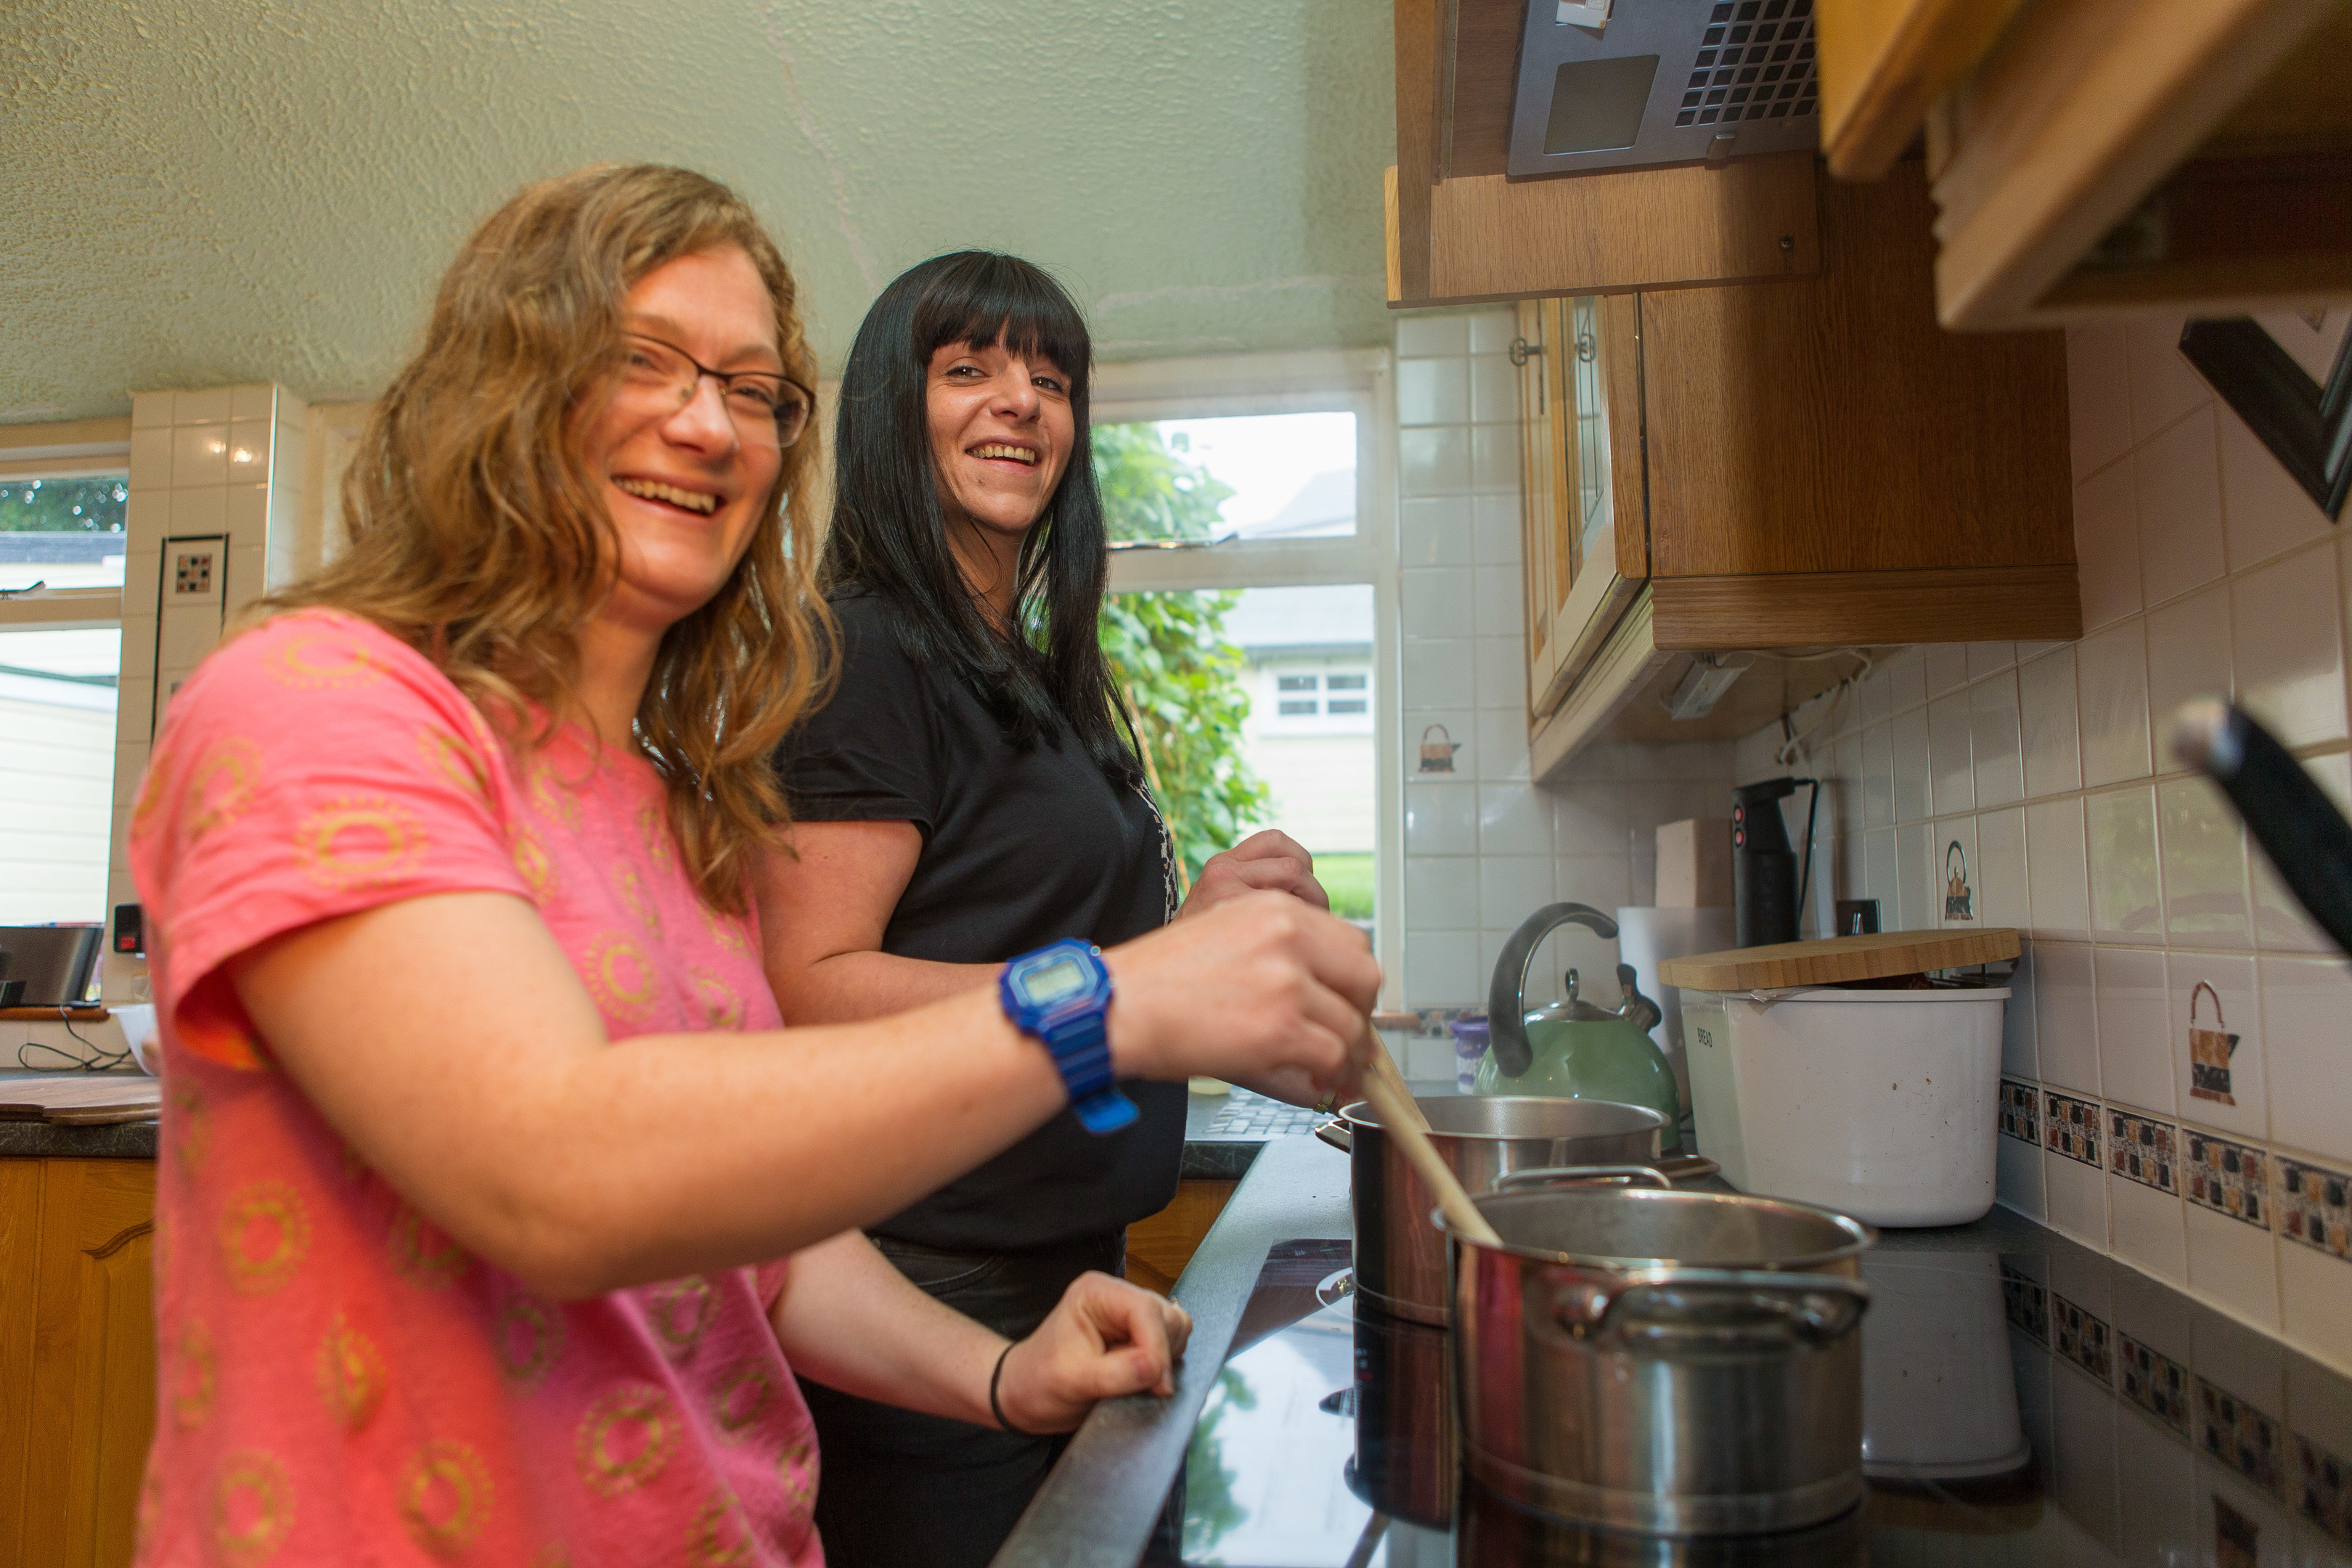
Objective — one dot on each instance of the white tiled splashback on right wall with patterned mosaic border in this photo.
(2179, 1057)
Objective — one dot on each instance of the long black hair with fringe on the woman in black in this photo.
(1043, 669)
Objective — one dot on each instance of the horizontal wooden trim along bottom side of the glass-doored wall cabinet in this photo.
(1866, 608)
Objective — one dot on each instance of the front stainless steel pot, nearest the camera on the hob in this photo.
(1664, 1362)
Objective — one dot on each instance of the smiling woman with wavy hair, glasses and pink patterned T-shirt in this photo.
(495, 1207)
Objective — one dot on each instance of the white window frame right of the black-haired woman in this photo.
(1311, 382)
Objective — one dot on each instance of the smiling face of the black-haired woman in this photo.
(1001, 436)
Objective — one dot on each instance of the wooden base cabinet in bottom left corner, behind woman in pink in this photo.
(76, 1358)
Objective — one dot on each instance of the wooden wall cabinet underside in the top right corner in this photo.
(2106, 156)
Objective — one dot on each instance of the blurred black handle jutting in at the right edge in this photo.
(2285, 808)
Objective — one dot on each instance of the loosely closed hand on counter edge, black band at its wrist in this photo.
(1107, 1339)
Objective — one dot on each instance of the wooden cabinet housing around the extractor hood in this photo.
(1462, 229)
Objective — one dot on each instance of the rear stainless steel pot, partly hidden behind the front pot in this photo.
(1401, 1261)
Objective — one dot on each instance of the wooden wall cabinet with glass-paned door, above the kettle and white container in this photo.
(1791, 467)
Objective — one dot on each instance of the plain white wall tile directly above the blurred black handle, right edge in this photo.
(2290, 648)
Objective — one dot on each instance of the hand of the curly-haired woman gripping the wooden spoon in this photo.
(1255, 986)
